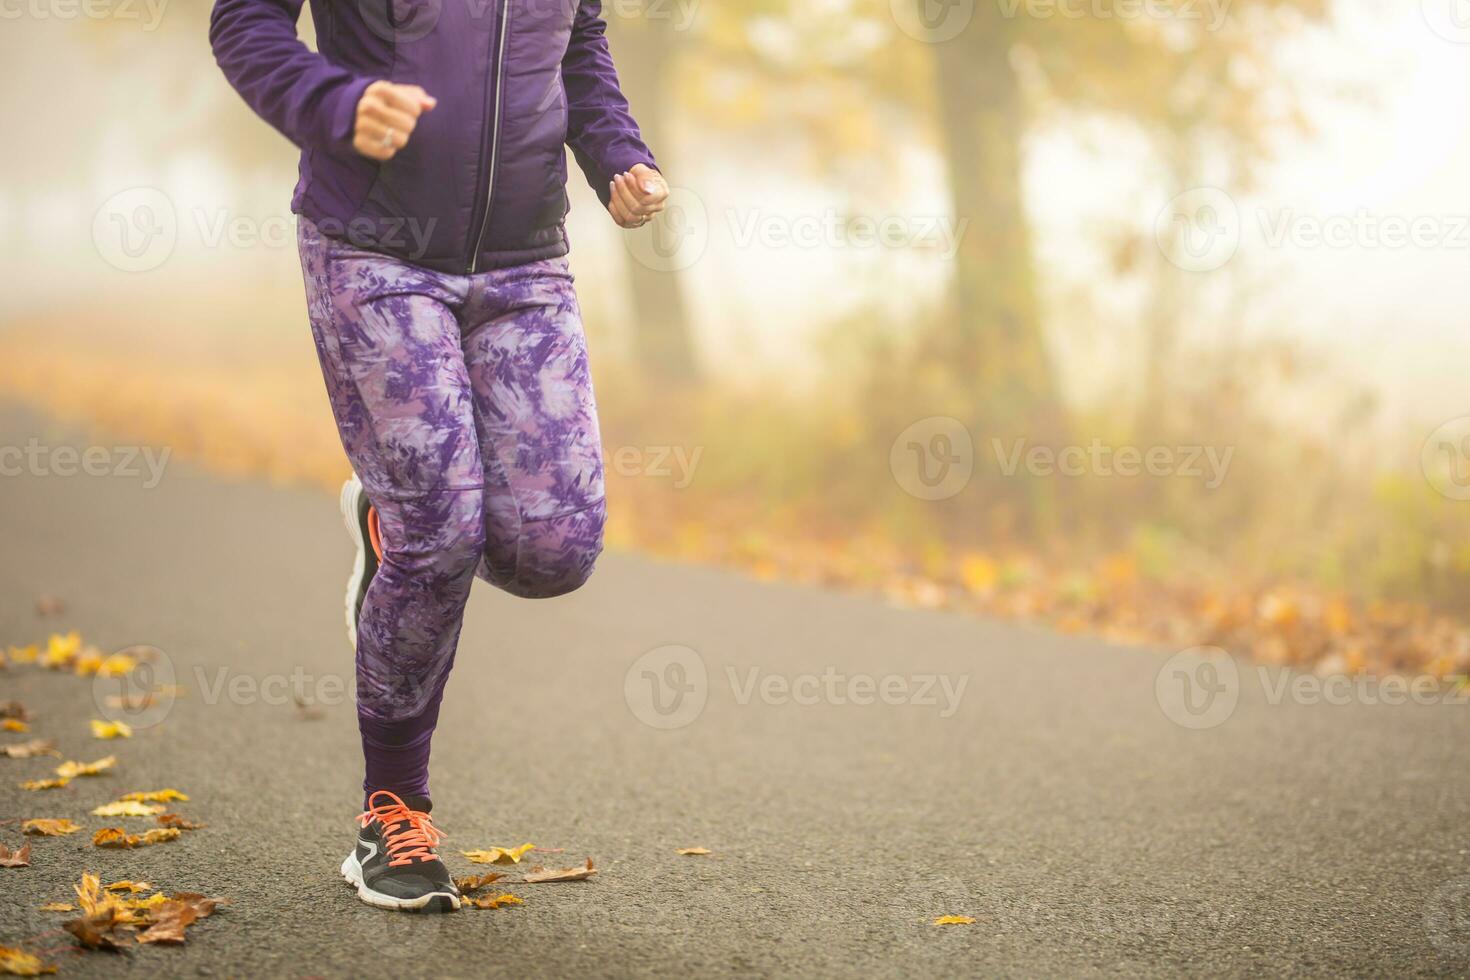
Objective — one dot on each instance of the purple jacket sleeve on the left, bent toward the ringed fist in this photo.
(309, 99)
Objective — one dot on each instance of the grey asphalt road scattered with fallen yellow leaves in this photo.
(1052, 797)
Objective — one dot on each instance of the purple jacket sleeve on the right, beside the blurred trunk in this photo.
(600, 129)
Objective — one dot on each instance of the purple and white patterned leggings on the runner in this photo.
(467, 409)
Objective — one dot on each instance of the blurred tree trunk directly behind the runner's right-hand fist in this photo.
(662, 333)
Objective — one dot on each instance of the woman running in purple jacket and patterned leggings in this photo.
(433, 203)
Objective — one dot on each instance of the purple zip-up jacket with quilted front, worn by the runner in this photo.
(483, 181)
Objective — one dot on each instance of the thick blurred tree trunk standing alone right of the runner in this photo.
(996, 340)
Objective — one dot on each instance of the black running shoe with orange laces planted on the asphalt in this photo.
(395, 865)
